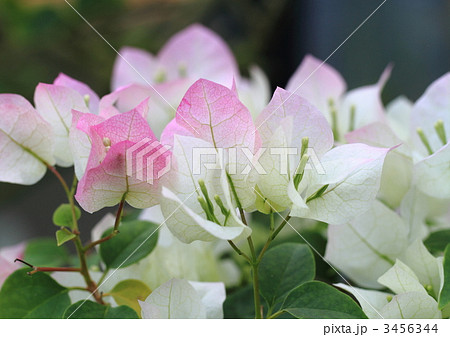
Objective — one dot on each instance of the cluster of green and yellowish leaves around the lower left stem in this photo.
(40, 296)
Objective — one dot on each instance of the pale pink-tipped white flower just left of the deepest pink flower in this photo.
(55, 102)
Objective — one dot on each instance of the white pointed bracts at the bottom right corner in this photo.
(415, 280)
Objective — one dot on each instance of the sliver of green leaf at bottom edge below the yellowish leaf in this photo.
(89, 309)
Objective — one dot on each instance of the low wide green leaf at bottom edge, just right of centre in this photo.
(319, 300)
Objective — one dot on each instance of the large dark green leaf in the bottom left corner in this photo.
(32, 296)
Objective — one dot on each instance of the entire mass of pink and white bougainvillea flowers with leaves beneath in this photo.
(208, 154)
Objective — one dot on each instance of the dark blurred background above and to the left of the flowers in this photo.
(40, 38)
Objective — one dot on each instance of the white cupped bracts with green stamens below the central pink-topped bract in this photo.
(198, 205)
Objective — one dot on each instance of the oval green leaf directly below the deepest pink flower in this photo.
(135, 241)
